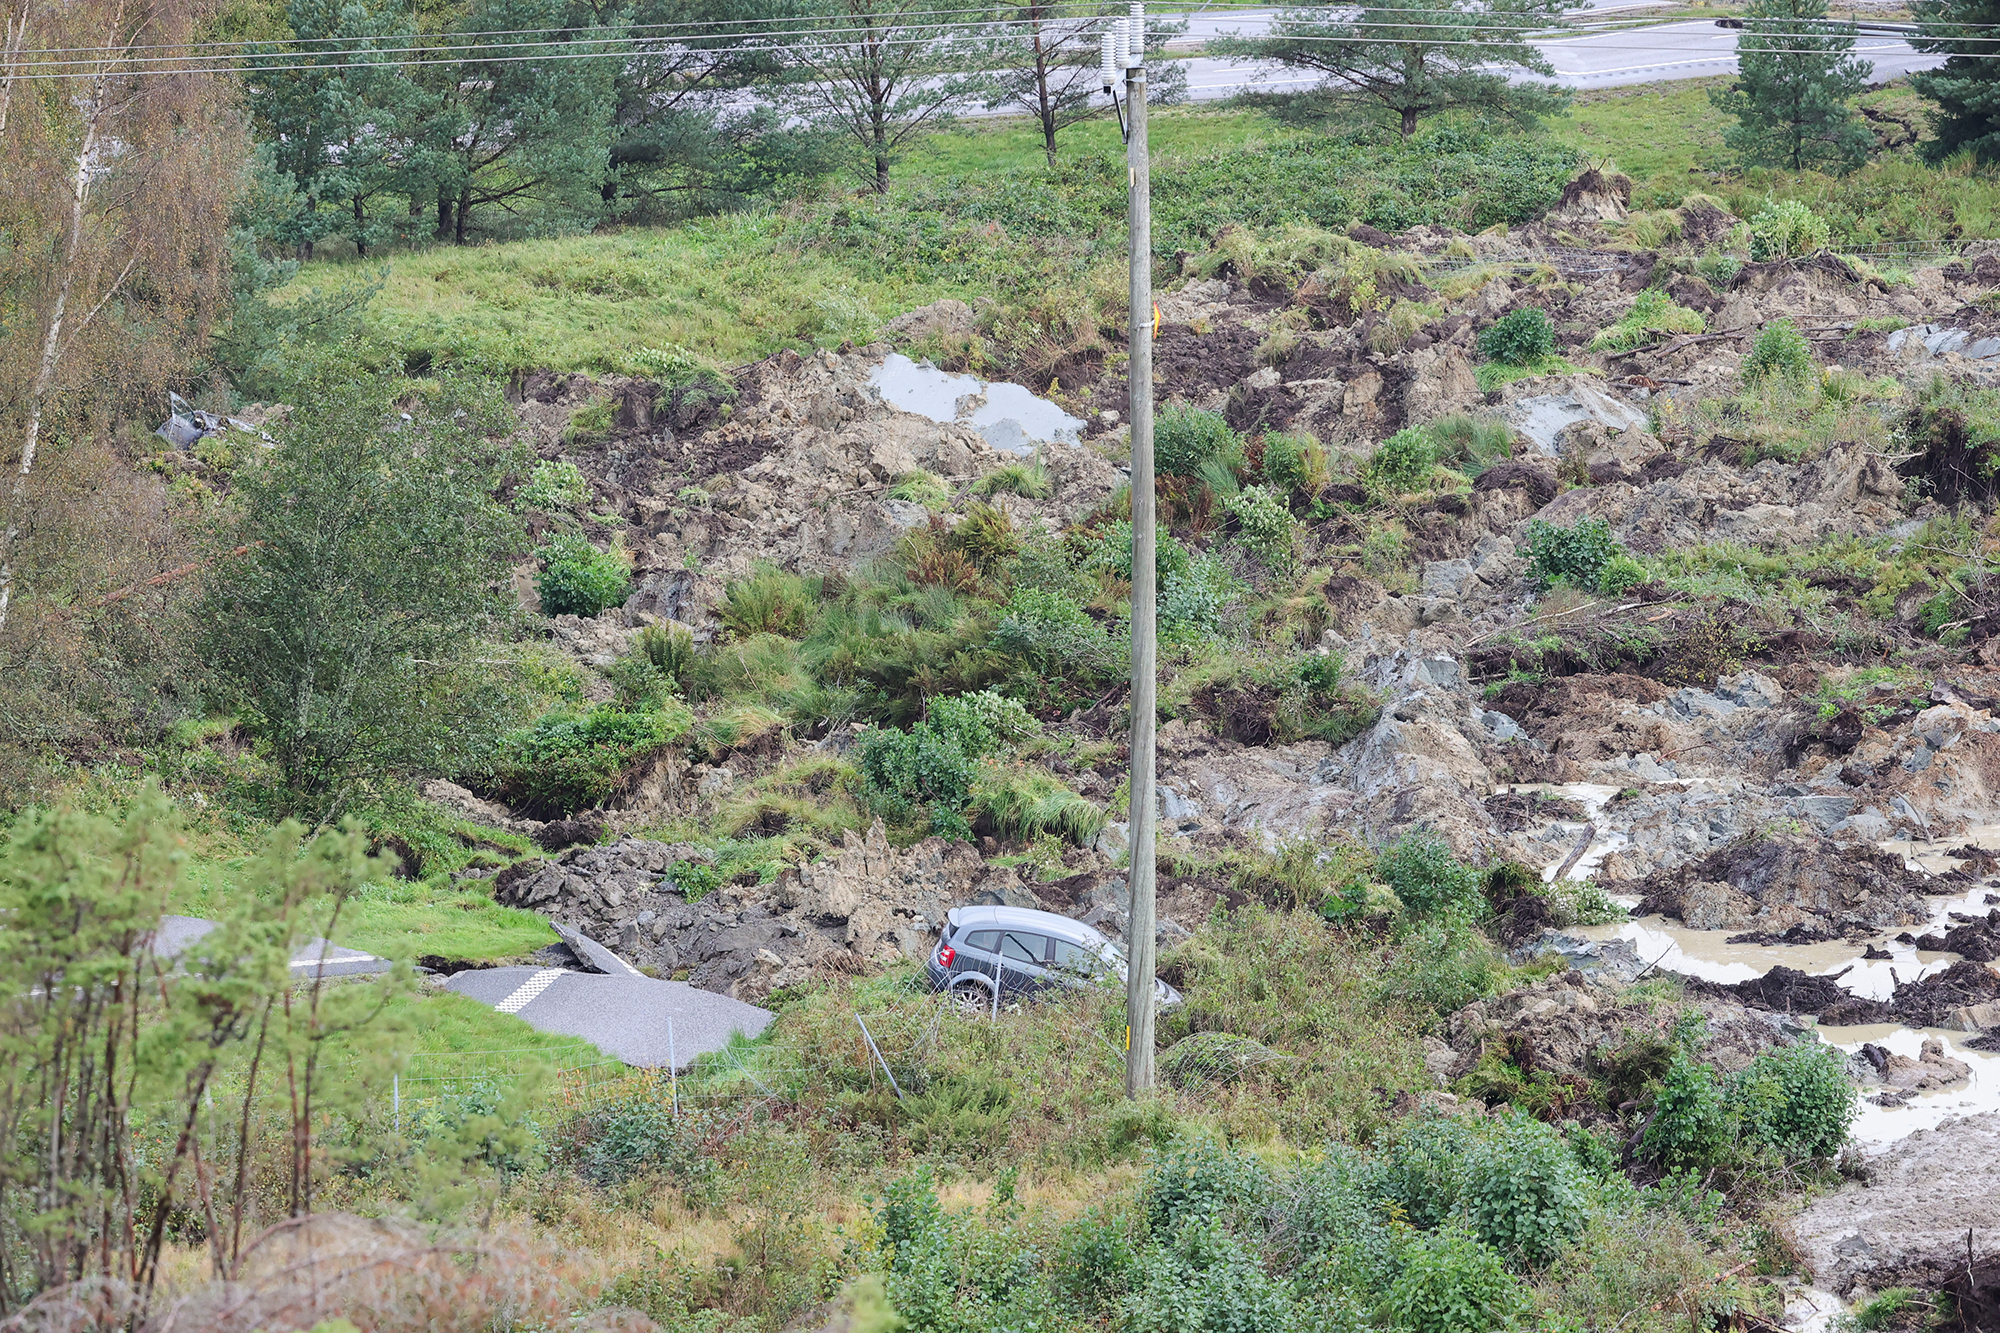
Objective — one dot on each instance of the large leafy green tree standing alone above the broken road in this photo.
(371, 567)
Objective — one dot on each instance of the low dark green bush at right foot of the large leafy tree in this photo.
(571, 762)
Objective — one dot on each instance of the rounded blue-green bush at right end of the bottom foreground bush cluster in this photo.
(1523, 1192)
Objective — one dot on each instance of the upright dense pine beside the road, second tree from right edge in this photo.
(1791, 97)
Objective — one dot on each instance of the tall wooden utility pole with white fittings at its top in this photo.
(1145, 595)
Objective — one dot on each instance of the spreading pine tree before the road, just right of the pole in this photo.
(1419, 57)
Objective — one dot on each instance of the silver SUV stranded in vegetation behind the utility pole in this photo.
(987, 954)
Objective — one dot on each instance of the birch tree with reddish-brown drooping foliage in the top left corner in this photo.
(115, 189)
